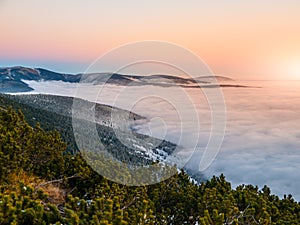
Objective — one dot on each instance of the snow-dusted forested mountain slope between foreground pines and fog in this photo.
(55, 113)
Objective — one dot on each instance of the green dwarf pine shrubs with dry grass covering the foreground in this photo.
(42, 184)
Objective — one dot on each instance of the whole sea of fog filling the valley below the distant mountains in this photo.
(261, 143)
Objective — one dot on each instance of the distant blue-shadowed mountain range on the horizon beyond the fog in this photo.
(13, 79)
